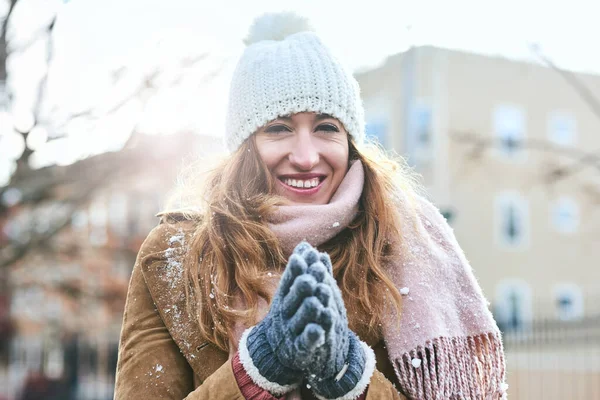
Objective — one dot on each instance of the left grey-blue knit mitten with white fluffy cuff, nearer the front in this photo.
(277, 350)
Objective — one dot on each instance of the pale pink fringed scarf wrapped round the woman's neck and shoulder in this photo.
(447, 345)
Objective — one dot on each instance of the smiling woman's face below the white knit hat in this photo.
(307, 155)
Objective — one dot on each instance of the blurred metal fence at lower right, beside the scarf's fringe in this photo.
(554, 359)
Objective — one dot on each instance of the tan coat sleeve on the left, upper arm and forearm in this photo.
(150, 364)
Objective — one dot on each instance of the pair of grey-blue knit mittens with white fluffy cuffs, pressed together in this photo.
(306, 335)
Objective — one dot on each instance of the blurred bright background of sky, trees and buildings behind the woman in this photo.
(495, 104)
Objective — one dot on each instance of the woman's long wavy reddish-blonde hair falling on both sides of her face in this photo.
(232, 249)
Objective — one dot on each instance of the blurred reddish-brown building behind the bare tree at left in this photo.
(68, 296)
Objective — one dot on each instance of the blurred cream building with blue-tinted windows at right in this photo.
(501, 147)
